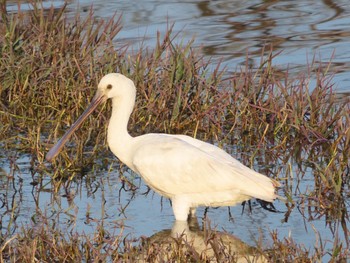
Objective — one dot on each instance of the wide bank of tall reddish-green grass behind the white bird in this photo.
(50, 69)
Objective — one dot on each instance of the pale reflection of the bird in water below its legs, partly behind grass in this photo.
(186, 241)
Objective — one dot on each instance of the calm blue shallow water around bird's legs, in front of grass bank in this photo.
(99, 199)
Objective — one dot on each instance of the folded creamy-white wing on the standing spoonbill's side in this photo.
(174, 166)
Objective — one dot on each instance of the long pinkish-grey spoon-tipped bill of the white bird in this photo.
(97, 99)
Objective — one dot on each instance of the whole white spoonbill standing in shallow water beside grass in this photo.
(190, 172)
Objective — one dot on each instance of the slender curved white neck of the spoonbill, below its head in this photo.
(119, 140)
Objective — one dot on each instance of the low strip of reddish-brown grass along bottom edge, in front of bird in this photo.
(46, 243)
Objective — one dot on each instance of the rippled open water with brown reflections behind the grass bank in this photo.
(228, 30)
